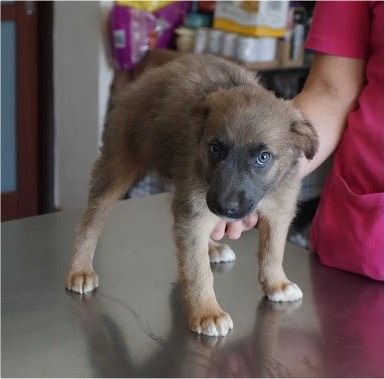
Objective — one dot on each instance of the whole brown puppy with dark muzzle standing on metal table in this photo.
(230, 147)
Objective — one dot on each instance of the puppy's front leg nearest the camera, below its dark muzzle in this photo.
(192, 227)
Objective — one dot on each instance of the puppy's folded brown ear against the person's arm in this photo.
(305, 137)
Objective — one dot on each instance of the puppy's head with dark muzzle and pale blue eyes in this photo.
(249, 140)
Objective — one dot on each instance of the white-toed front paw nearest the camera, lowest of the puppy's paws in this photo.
(213, 325)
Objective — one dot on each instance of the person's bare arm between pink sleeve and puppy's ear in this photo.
(326, 103)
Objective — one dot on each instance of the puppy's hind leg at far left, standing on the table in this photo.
(109, 181)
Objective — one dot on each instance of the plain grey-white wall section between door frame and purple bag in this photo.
(81, 85)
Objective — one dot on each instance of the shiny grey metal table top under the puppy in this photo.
(134, 324)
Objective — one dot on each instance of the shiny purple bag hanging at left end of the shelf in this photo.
(134, 31)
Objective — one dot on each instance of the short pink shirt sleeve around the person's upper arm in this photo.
(341, 28)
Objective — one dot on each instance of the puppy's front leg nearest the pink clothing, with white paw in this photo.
(273, 227)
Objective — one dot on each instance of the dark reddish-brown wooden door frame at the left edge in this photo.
(34, 111)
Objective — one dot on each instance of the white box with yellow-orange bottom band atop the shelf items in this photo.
(252, 18)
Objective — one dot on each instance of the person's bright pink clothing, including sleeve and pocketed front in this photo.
(348, 229)
